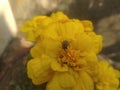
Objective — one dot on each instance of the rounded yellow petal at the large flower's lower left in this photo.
(39, 70)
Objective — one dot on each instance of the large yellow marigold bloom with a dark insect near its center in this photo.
(65, 53)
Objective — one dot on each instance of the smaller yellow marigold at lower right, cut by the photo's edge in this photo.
(106, 77)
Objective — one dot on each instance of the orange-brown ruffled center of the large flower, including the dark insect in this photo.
(69, 56)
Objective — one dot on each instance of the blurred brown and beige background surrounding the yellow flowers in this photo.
(105, 15)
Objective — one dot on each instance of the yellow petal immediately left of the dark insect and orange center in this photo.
(46, 46)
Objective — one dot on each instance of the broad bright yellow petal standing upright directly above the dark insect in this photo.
(70, 29)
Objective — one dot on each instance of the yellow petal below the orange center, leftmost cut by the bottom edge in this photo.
(61, 81)
